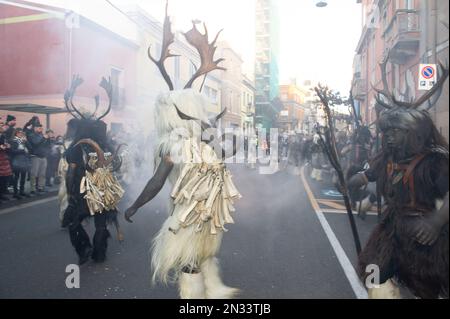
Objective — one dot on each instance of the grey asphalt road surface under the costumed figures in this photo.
(277, 249)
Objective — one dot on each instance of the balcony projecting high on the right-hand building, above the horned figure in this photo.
(403, 35)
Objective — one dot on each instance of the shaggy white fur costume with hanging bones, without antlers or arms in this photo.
(201, 200)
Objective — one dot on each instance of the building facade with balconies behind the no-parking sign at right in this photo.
(413, 32)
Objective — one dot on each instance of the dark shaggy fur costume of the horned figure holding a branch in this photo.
(392, 245)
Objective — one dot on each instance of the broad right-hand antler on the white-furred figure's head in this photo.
(206, 51)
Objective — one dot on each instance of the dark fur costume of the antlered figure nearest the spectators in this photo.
(78, 210)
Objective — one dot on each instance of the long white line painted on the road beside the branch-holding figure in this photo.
(350, 273)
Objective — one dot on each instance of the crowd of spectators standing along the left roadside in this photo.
(29, 158)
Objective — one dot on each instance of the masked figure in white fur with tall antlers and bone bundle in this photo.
(202, 196)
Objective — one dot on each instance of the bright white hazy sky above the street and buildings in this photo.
(316, 44)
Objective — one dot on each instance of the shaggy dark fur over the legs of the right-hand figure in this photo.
(392, 247)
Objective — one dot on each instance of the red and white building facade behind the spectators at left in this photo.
(43, 47)
